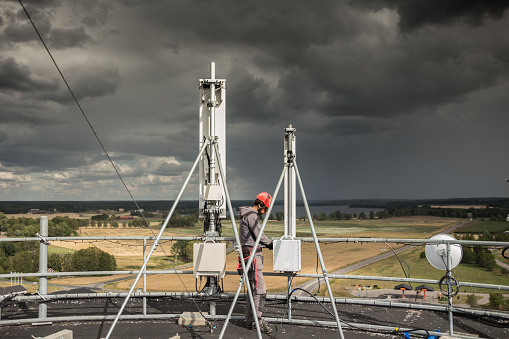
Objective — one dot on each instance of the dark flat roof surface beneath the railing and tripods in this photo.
(167, 328)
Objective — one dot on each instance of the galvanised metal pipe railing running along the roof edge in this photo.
(42, 297)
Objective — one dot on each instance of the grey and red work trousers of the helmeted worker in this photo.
(258, 289)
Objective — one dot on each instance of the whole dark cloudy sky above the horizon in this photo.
(390, 98)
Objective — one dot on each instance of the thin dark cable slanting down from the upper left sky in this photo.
(100, 143)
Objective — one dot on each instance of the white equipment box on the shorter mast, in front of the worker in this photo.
(287, 255)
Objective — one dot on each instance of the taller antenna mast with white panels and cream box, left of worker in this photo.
(209, 258)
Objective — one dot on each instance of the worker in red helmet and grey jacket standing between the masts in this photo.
(249, 230)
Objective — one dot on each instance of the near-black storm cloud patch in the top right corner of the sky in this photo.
(418, 13)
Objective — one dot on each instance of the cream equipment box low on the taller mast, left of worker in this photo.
(209, 259)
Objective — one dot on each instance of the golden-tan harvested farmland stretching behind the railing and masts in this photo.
(128, 254)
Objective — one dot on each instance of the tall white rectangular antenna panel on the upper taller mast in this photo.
(219, 130)
